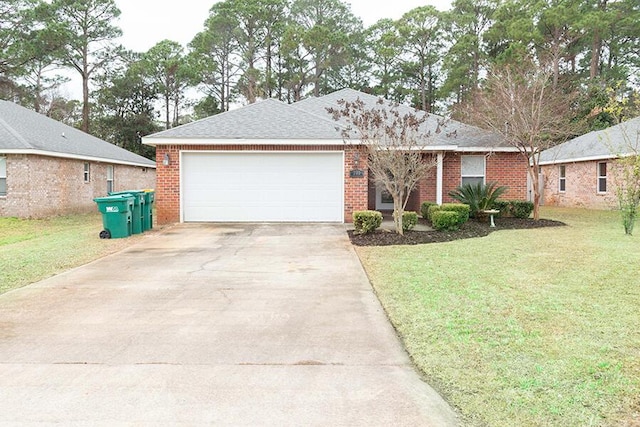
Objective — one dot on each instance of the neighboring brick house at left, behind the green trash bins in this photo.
(48, 168)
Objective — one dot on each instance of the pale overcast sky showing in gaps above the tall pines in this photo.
(147, 22)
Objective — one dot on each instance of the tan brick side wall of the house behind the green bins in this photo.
(41, 186)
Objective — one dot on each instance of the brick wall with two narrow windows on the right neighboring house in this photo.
(581, 186)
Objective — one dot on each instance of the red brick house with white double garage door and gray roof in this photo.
(275, 162)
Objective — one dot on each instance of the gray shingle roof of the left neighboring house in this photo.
(25, 131)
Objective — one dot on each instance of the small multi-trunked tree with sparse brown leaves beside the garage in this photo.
(395, 144)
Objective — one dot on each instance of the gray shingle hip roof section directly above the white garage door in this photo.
(268, 119)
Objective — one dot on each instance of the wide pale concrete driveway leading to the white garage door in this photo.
(211, 325)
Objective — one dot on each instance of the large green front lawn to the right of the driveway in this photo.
(526, 327)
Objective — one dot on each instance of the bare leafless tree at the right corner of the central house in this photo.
(520, 104)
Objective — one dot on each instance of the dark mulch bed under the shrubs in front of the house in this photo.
(469, 230)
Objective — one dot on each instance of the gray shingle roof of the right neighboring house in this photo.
(619, 140)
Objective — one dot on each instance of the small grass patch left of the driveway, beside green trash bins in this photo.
(31, 250)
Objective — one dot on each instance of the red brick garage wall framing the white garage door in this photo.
(168, 181)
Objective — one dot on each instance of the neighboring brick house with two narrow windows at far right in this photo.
(582, 172)
